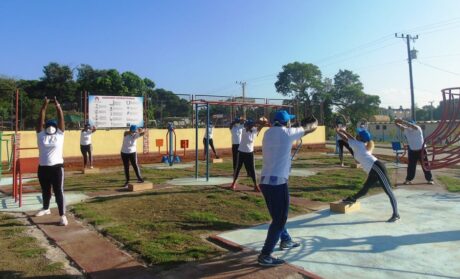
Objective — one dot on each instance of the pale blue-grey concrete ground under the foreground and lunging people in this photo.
(425, 243)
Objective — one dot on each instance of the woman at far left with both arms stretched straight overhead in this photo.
(50, 140)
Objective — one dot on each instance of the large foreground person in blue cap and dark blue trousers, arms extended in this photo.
(276, 151)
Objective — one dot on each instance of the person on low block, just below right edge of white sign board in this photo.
(129, 152)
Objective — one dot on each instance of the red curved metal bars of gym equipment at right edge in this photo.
(443, 145)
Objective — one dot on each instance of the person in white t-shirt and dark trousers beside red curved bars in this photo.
(416, 152)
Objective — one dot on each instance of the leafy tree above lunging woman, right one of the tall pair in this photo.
(349, 99)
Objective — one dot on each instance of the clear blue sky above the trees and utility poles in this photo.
(204, 46)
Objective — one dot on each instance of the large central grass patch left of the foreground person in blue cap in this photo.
(166, 227)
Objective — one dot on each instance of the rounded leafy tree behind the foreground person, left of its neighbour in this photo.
(300, 81)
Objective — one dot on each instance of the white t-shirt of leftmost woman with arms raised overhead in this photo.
(50, 148)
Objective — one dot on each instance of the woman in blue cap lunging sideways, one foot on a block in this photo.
(362, 147)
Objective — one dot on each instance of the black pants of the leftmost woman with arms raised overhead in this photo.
(52, 177)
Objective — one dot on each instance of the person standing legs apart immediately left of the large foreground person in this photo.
(246, 152)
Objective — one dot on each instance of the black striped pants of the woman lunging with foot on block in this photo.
(379, 174)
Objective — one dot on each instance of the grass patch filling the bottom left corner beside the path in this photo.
(21, 255)
